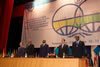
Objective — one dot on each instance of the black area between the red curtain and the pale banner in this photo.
(15, 33)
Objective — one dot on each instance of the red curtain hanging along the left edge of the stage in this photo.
(6, 7)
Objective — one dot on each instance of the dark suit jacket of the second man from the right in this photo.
(63, 50)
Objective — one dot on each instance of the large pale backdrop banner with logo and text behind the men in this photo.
(52, 20)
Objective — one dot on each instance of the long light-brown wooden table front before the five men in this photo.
(42, 62)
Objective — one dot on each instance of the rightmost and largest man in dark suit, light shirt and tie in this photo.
(78, 48)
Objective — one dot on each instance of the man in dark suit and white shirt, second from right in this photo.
(63, 49)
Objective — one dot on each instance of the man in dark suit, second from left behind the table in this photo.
(30, 49)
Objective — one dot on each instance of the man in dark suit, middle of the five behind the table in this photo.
(44, 49)
